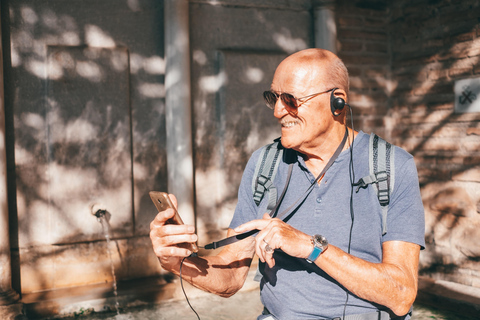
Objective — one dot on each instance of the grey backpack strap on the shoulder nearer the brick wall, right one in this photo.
(381, 157)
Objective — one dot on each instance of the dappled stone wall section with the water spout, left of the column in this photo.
(86, 125)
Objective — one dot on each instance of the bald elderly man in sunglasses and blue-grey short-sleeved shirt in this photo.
(331, 257)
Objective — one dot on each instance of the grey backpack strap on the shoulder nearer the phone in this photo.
(265, 171)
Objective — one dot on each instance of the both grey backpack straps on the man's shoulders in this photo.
(381, 155)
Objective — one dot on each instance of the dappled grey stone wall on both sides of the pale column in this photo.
(86, 120)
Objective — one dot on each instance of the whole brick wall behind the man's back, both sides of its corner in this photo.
(404, 58)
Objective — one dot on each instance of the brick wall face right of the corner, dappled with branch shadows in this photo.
(446, 144)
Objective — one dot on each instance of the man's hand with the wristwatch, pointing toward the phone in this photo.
(277, 235)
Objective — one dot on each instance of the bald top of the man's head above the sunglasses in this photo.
(317, 66)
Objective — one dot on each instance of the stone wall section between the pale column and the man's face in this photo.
(236, 46)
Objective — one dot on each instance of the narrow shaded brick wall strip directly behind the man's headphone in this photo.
(363, 46)
